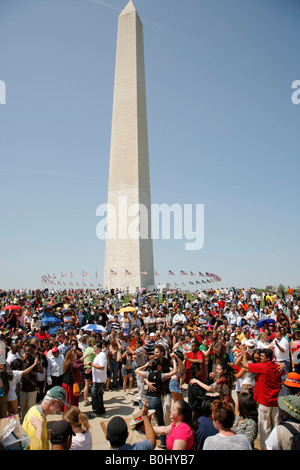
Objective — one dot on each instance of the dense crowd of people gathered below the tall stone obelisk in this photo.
(220, 367)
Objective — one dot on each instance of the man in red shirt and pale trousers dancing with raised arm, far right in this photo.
(266, 390)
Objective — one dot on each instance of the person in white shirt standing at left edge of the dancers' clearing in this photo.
(99, 374)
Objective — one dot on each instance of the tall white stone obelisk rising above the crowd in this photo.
(128, 246)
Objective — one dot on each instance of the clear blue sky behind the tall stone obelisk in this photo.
(222, 130)
